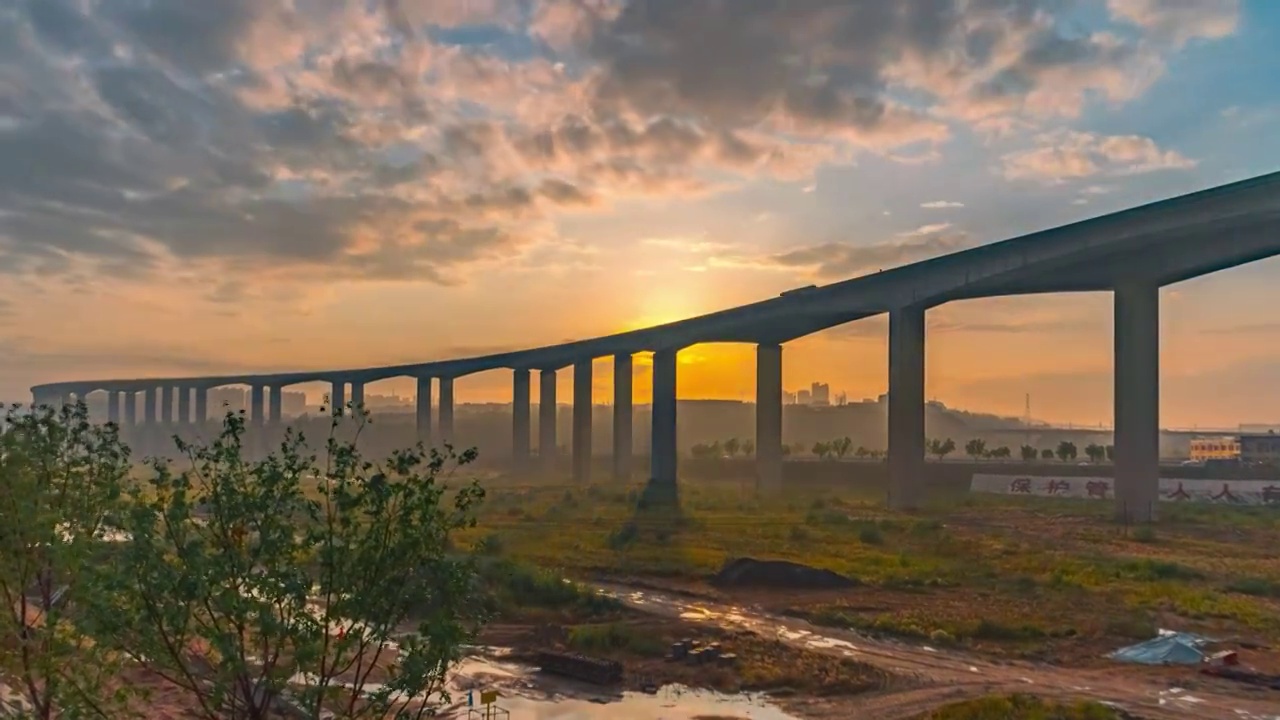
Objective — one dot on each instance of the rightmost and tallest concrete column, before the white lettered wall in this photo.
(1137, 402)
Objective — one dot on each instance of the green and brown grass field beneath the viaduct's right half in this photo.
(1017, 576)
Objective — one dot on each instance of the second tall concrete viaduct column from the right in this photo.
(906, 408)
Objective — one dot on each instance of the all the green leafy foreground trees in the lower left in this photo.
(252, 587)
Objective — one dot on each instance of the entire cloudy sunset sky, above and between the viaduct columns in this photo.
(239, 186)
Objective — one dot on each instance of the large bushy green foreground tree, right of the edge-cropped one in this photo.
(244, 581)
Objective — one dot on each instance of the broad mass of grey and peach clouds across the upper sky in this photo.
(326, 140)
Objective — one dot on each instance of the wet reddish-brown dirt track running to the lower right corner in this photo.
(932, 677)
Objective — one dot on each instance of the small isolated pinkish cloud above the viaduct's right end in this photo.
(1072, 156)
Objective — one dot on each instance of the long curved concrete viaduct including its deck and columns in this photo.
(1132, 254)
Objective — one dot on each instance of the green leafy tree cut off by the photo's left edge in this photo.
(61, 484)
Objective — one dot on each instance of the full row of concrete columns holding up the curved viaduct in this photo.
(1137, 409)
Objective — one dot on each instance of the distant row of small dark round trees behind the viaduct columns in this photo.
(940, 449)
